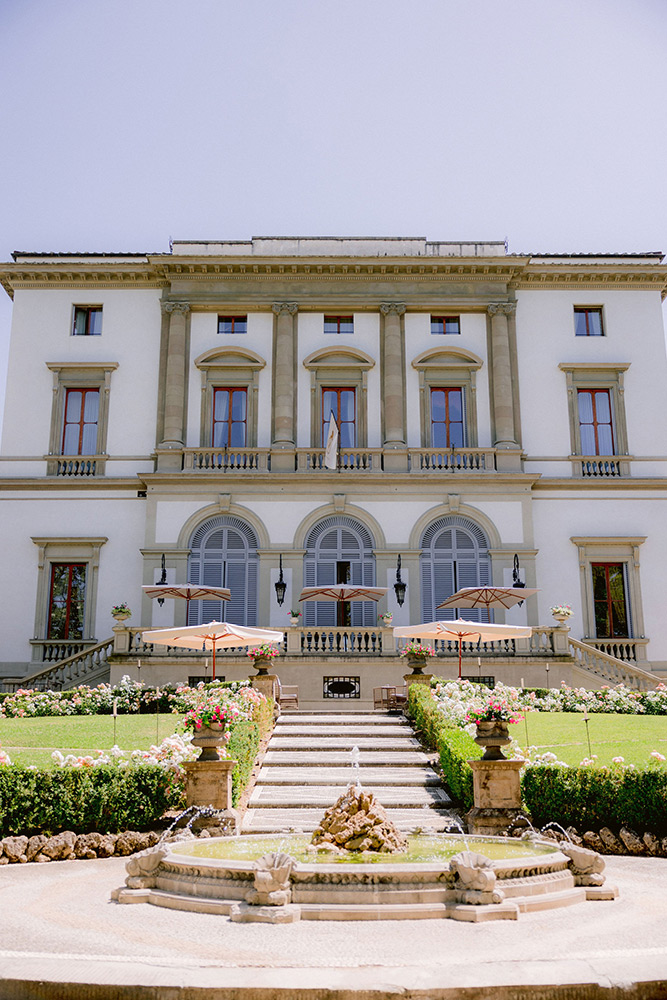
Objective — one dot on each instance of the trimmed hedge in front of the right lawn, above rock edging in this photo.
(591, 798)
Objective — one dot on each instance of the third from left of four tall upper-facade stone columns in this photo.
(393, 388)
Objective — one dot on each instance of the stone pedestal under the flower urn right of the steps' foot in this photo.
(496, 795)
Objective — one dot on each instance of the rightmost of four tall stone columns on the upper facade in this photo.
(503, 390)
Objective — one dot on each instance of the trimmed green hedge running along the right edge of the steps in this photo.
(455, 747)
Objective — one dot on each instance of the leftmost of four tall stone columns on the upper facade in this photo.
(175, 387)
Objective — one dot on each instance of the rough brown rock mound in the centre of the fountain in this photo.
(358, 822)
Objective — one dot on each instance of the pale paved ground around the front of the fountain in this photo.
(62, 939)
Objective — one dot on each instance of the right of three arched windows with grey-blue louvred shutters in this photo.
(455, 554)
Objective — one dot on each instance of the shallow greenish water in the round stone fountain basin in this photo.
(424, 848)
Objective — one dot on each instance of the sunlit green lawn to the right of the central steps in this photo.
(564, 733)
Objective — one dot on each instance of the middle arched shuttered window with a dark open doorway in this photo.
(339, 550)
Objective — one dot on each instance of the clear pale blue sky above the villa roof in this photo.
(127, 122)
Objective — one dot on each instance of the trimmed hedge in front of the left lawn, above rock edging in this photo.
(105, 799)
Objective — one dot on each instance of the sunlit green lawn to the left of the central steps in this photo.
(31, 741)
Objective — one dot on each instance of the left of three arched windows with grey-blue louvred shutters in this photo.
(224, 554)
